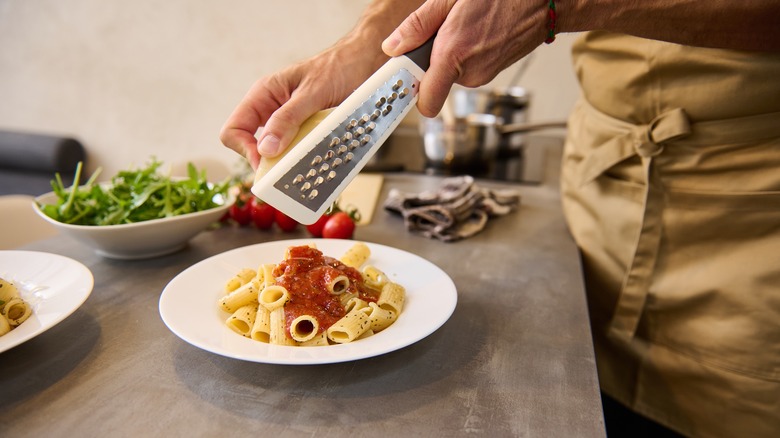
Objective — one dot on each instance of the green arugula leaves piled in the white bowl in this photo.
(133, 196)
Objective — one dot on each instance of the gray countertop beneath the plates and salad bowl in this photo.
(515, 358)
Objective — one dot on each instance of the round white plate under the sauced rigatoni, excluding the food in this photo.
(188, 304)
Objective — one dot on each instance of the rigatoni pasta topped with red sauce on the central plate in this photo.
(310, 299)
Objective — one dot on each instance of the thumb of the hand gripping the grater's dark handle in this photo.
(417, 28)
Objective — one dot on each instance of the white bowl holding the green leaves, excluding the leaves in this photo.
(139, 240)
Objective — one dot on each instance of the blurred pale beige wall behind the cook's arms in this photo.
(135, 79)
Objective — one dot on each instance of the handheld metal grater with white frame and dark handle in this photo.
(314, 172)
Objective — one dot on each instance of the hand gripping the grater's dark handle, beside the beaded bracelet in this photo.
(476, 40)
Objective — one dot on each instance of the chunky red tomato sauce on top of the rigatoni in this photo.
(305, 274)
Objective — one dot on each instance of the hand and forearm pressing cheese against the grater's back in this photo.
(276, 105)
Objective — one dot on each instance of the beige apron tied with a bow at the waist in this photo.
(671, 186)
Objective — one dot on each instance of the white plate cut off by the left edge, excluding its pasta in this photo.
(55, 286)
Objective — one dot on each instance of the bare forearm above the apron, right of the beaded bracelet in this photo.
(730, 24)
